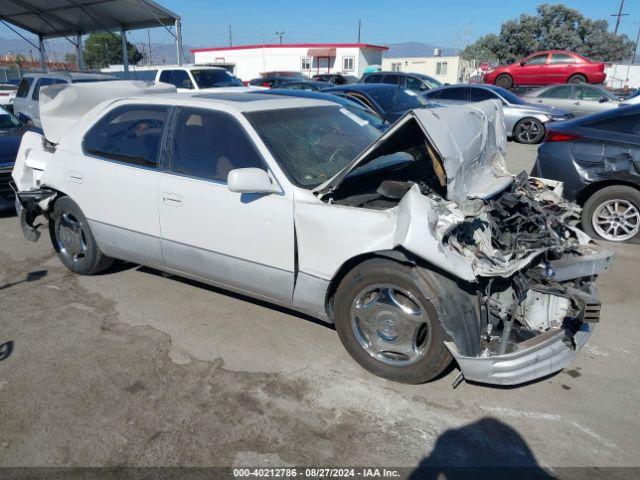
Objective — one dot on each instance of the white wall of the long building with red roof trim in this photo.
(251, 62)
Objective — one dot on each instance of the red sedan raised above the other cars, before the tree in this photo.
(546, 68)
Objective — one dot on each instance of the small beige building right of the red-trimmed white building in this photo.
(451, 69)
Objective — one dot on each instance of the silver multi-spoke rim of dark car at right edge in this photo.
(616, 220)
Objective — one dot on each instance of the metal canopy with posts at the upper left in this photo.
(74, 18)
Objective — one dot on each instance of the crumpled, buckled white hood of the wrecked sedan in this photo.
(469, 140)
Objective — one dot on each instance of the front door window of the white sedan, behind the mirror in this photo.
(209, 144)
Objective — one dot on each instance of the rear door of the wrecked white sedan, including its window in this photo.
(115, 181)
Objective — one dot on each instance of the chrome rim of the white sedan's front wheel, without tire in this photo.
(390, 324)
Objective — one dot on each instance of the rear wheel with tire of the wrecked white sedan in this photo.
(72, 239)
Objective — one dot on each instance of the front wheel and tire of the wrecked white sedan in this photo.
(388, 325)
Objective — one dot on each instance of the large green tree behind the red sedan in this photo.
(554, 27)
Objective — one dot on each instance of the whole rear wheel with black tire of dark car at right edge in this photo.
(628, 196)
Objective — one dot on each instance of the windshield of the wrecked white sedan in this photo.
(312, 144)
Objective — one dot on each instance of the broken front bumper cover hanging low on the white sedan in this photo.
(547, 356)
